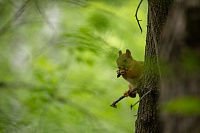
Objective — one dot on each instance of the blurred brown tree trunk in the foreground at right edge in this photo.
(180, 65)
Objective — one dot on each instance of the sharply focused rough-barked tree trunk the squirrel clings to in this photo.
(147, 117)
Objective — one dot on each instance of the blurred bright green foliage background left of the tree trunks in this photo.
(57, 65)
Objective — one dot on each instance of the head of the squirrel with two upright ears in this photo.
(125, 60)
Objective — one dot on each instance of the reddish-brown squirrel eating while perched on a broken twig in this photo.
(131, 70)
